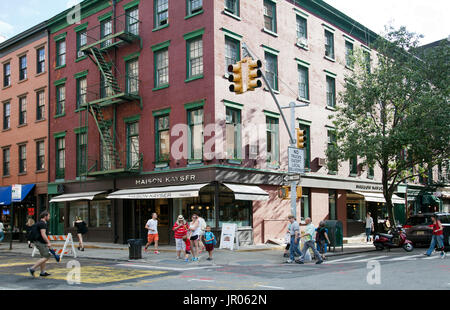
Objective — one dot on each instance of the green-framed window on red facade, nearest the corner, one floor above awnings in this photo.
(195, 121)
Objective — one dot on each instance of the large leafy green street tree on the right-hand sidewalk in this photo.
(397, 114)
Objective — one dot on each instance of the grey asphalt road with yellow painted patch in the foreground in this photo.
(367, 271)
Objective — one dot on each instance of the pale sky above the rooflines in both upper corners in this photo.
(418, 16)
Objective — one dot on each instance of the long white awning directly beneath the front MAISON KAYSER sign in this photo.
(167, 192)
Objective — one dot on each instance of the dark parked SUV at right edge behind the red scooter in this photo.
(418, 226)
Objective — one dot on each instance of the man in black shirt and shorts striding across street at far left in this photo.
(42, 244)
